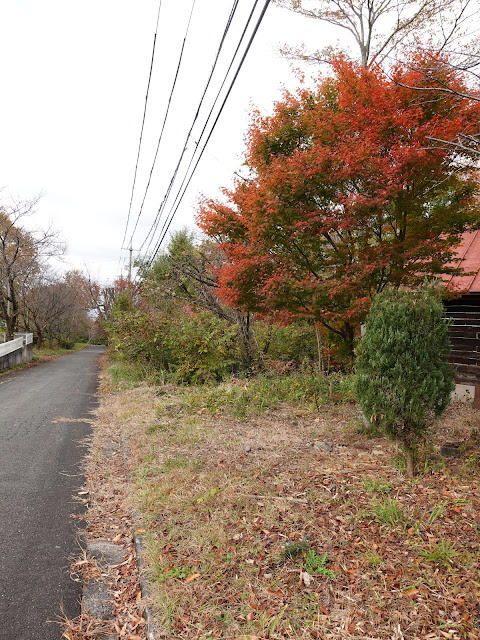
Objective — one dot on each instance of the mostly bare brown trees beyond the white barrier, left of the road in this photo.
(56, 307)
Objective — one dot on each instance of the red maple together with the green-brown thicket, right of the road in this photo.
(349, 193)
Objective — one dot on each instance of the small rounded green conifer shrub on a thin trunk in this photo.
(403, 379)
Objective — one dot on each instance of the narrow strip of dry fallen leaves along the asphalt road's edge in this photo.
(109, 519)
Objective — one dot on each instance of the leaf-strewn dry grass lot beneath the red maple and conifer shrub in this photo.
(238, 511)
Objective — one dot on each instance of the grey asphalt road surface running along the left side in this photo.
(44, 413)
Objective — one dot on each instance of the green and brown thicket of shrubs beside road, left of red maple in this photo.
(173, 322)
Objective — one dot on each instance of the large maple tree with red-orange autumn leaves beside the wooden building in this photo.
(346, 196)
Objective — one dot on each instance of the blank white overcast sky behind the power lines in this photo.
(73, 80)
